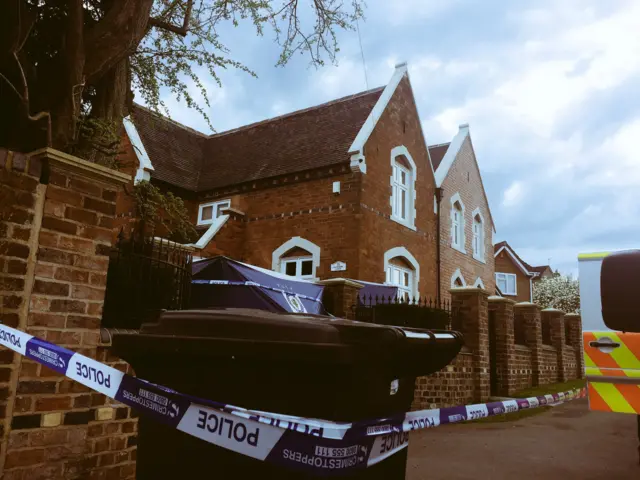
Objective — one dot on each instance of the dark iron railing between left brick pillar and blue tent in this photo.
(145, 276)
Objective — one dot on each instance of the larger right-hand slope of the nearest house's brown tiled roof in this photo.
(316, 137)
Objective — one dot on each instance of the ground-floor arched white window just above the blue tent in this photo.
(298, 258)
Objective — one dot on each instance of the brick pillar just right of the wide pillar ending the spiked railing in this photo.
(502, 310)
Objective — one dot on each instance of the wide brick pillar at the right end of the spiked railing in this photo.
(472, 306)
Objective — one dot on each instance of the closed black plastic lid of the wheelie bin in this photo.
(306, 337)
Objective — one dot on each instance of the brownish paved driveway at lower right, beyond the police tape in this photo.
(568, 442)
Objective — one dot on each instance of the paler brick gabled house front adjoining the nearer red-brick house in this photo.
(465, 222)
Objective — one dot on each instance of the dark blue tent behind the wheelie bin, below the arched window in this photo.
(222, 282)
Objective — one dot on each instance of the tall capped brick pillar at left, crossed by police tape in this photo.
(55, 420)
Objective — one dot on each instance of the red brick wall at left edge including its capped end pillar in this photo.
(64, 234)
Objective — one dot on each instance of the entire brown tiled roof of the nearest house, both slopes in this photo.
(316, 137)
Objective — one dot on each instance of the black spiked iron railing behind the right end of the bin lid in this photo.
(414, 313)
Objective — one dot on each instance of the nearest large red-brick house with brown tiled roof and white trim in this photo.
(347, 184)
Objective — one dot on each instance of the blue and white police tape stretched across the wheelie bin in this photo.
(320, 446)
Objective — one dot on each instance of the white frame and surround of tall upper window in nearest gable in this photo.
(409, 219)
